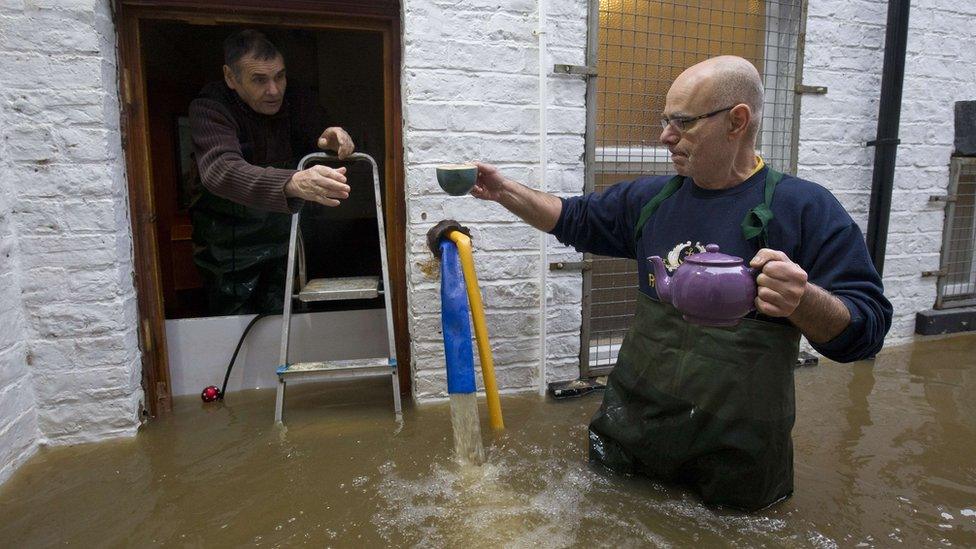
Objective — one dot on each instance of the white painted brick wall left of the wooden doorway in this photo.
(70, 301)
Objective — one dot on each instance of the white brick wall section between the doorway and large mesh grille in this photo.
(471, 91)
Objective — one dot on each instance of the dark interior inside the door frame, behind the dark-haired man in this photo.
(341, 68)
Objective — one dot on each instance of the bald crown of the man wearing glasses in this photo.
(726, 81)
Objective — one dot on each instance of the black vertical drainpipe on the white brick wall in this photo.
(886, 142)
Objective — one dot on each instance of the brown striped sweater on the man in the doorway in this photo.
(248, 157)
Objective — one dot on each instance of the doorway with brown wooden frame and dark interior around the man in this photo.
(168, 49)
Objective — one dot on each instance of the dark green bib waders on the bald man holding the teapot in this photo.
(712, 408)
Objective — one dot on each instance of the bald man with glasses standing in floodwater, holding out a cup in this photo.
(713, 407)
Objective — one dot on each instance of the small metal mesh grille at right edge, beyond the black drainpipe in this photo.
(957, 276)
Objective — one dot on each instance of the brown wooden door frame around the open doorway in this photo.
(306, 14)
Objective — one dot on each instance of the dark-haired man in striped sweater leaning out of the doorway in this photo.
(249, 132)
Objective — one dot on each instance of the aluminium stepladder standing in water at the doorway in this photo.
(326, 289)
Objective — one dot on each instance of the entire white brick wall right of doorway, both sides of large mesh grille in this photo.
(466, 101)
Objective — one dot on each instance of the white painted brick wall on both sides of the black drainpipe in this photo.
(845, 52)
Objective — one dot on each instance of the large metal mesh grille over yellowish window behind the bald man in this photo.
(641, 46)
